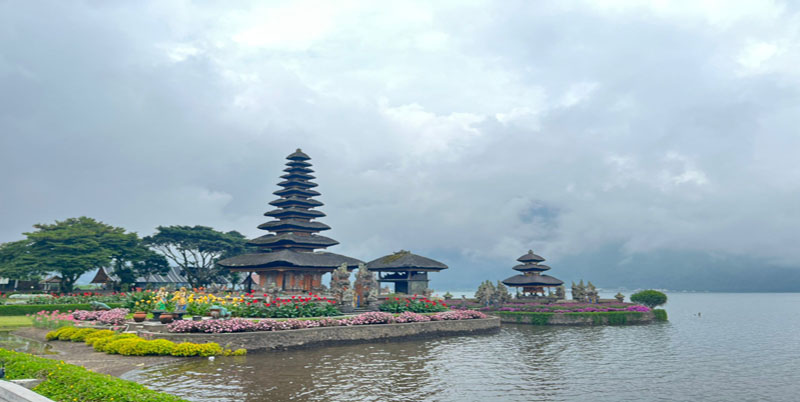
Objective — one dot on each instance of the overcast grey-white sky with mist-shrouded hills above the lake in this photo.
(638, 144)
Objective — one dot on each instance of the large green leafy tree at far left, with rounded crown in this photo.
(73, 247)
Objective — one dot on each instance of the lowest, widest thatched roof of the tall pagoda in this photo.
(290, 259)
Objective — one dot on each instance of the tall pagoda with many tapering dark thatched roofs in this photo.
(286, 258)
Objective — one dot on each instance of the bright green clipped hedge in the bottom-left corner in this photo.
(66, 382)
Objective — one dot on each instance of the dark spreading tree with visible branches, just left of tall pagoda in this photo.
(196, 250)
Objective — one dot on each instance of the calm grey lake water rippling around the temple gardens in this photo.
(743, 347)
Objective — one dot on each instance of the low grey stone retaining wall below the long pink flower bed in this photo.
(264, 340)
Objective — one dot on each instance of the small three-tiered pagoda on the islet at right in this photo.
(531, 280)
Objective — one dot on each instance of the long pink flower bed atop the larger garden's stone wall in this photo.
(243, 325)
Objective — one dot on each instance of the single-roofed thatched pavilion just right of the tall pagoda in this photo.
(408, 272)
